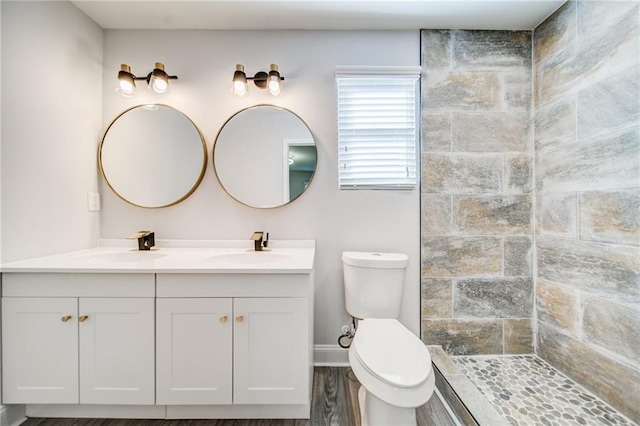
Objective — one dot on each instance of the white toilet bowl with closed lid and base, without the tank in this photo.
(394, 369)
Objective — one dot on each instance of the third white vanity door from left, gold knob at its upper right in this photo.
(194, 361)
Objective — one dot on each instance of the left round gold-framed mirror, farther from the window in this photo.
(152, 156)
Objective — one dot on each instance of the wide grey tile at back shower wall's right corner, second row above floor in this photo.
(493, 298)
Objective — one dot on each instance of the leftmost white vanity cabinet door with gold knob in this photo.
(40, 350)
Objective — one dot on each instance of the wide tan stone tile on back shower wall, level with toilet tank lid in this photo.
(461, 256)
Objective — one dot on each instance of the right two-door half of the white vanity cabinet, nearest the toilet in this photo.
(237, 345)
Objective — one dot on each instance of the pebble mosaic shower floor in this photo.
(525, 390)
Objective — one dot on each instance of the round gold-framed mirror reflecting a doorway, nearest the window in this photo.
(265, 156)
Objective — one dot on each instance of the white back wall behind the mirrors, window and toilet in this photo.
(338, 220)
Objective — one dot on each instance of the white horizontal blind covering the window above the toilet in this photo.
(377, 128)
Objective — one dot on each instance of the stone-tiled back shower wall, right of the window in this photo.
(477, 206)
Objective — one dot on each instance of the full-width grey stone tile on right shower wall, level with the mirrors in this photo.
(604, 162)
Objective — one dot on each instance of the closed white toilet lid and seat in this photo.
(391, 362)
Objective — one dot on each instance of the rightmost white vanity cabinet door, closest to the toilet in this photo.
(271, 351)
